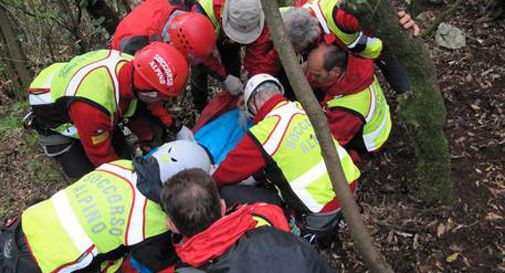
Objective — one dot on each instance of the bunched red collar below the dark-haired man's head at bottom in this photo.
(217, 239)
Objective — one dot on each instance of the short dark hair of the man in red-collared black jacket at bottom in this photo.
(191, 200)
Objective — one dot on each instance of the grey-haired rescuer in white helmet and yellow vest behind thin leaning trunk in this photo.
(283, 146)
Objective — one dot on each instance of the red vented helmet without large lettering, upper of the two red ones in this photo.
(193, 34)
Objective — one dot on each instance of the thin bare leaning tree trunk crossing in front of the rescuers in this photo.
(305, 95)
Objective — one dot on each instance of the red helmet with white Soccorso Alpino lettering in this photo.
(161, 67)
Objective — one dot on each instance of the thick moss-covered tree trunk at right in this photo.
(422, 110)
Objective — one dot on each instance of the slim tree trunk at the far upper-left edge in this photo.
(14, 58)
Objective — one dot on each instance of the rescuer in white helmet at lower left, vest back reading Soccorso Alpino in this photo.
(110, 212)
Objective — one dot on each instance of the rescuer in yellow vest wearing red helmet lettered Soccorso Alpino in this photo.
(78, 105)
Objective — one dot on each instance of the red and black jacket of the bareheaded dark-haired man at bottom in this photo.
(235, 244)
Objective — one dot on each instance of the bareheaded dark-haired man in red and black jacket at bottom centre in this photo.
(251, 238)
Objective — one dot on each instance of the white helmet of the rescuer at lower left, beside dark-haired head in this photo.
(179, 155)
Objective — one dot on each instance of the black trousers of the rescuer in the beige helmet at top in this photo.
(231, 60)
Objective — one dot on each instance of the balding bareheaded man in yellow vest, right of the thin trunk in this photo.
(357, 111)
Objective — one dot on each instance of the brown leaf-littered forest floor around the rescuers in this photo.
(467, 236)
